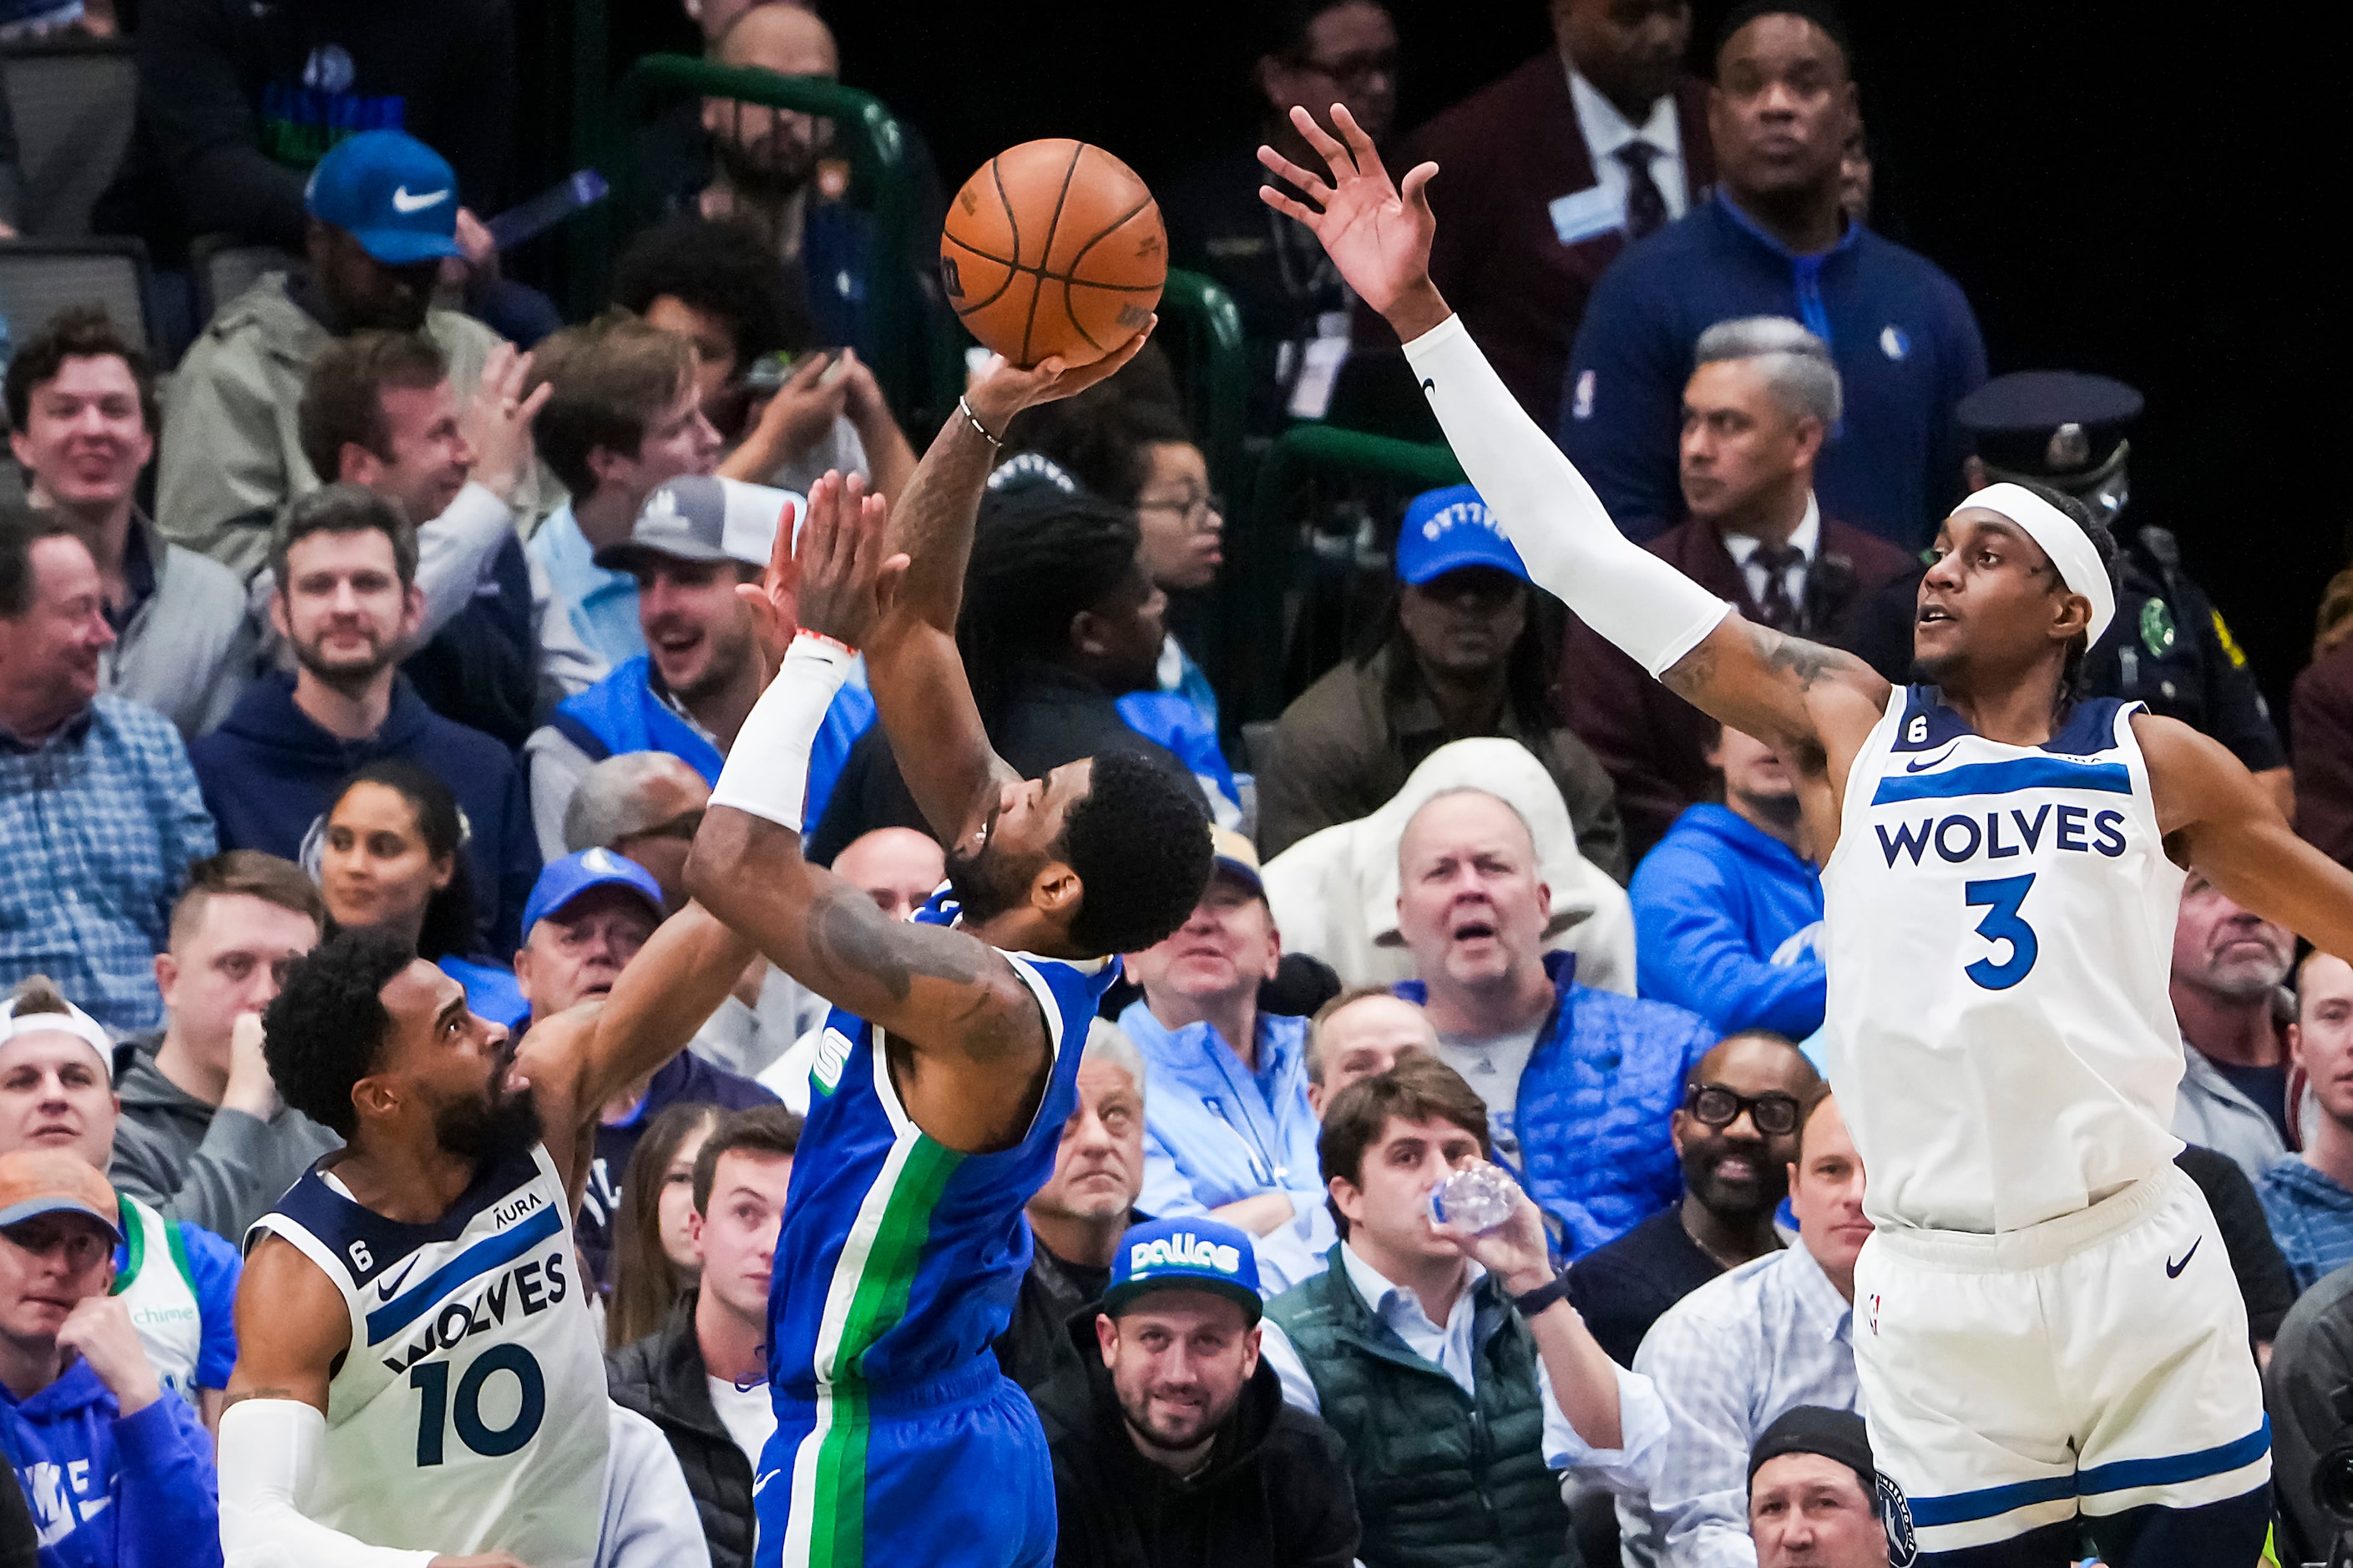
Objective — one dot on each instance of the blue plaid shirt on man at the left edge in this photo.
(98, 830)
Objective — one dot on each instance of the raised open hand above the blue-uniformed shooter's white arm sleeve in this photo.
(836, 580)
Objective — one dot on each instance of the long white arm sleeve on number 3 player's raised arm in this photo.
(1552, 514)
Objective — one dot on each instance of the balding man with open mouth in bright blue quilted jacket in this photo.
(1578, 1082)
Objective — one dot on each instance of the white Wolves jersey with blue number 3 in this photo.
(2001, 926)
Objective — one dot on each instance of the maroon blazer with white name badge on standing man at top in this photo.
(1505, 154)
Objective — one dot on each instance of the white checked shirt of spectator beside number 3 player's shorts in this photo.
(1728, 1360)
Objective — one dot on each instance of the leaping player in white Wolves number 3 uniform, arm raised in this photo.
(2044, 1336)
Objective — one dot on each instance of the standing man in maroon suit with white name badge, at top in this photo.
(1549, 173)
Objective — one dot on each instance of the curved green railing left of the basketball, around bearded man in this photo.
(879, 161)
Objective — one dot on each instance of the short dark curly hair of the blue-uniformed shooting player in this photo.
(1140, 844)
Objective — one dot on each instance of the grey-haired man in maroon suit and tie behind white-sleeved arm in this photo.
(1754, 418)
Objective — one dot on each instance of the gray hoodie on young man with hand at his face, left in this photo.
(194, 1162)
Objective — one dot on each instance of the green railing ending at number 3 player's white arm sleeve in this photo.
(1267, 550)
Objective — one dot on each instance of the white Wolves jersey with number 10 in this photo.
(469, 1414)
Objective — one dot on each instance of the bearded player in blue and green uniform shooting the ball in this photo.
(952, 1058)
